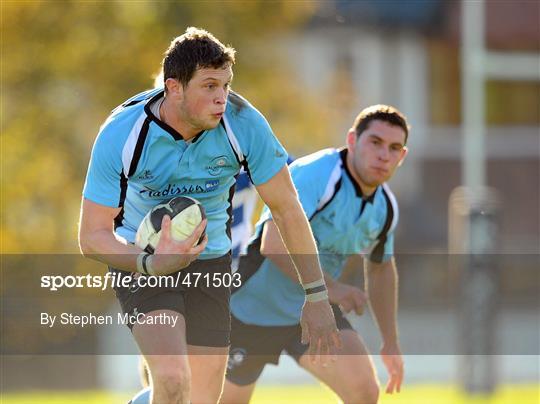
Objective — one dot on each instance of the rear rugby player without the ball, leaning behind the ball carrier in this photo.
(351, 211)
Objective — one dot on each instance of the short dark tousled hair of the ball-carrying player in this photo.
(194, 49)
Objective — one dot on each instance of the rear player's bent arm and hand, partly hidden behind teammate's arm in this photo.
(346, 296)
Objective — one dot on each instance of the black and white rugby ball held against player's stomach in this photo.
(185, 213)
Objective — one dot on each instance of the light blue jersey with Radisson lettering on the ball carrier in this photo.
(139, 161)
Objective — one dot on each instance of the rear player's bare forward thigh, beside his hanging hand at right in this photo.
(352, 370)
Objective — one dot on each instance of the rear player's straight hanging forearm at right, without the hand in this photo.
(382, 288)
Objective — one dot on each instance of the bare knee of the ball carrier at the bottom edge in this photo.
(172, 381)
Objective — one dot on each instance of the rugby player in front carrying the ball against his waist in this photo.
(190, 138)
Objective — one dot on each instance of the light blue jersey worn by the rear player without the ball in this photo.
(343, 224)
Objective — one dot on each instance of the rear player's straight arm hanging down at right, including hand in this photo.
(382, 289)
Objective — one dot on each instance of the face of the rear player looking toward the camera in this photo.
(376, 153)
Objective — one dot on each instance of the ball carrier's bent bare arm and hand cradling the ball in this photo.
(97, 241)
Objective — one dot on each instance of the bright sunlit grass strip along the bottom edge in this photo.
(309, 394)
